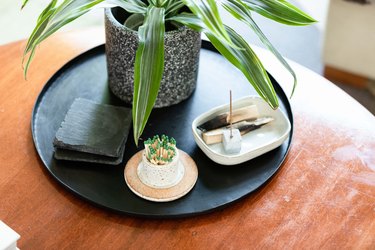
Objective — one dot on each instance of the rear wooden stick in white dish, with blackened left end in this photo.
(240, 114)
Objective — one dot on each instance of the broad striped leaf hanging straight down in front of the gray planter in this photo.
(148, 68)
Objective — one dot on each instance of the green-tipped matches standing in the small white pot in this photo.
(160, 151)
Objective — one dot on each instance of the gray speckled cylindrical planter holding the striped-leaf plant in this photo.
(181, 57)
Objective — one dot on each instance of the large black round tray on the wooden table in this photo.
(217, 185)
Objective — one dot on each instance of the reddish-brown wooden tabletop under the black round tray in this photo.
(323, 196)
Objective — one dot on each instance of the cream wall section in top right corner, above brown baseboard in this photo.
(350, 37)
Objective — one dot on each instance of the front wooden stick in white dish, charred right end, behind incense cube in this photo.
(216, 135)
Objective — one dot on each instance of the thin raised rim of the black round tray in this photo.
(205, 45)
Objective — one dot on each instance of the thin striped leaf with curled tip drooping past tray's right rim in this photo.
(239, 11)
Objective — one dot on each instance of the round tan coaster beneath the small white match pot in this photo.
(161, 194)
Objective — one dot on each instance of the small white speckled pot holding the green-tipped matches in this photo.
(161, 176)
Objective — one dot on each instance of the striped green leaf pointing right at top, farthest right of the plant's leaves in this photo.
(280, 11)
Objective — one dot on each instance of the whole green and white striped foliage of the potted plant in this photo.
(204, 16)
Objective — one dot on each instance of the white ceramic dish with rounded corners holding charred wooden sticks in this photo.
(254, 143)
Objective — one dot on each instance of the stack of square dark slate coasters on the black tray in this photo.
(93, 132)
